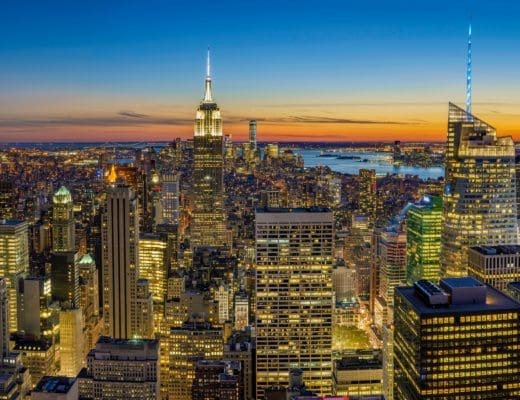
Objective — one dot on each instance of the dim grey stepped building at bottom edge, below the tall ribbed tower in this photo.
(121, 368)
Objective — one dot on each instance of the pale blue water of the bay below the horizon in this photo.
(381, 162)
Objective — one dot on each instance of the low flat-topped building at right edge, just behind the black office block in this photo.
(497, 266)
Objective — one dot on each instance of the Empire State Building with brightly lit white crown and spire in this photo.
(208, 217)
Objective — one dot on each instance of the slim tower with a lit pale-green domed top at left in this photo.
(62, 221)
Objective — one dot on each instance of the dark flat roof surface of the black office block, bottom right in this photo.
(495, 301)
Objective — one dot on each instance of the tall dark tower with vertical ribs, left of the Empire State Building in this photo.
(120, 233)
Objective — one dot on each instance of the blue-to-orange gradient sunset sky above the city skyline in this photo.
(306, 70)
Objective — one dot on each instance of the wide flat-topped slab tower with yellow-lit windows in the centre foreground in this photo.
(294, 257)
